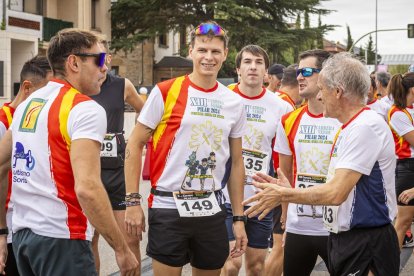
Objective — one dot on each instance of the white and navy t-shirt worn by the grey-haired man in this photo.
(364, 145)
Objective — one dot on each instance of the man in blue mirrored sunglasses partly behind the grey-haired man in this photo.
(304, 142)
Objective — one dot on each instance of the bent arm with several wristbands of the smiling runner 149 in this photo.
(134, 215)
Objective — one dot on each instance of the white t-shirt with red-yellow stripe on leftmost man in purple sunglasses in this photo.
(43, 191)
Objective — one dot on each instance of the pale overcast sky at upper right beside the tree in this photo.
(360, 16)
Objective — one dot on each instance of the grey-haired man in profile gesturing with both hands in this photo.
(359, 195)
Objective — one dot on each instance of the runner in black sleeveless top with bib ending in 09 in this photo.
(115, 92)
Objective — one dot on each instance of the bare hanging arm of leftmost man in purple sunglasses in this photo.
(85, 161)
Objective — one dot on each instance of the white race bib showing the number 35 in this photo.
(255, 161)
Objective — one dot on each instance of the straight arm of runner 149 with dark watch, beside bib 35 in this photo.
(236, 192)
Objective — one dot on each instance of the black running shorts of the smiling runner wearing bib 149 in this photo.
(176, 241)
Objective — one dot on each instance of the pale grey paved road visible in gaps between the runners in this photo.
(109, 267)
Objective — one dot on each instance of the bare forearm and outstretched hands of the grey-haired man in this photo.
(333, 192)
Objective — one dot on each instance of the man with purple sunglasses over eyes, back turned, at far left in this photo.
(53, 145)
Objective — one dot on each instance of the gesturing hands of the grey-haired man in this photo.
(269, 197)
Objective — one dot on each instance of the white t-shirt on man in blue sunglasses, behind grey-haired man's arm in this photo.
(308, 138)
